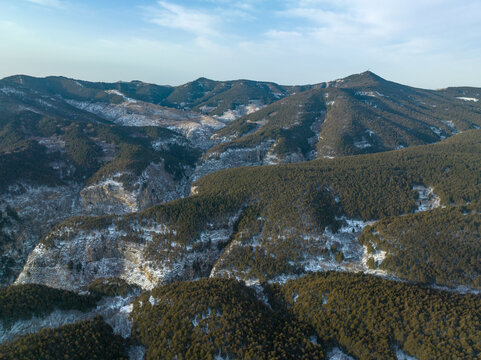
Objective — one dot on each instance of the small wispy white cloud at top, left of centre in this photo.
(178, 17)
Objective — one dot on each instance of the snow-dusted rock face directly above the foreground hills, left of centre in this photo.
(71, 258)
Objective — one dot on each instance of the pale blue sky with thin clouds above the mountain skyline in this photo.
(423, 43)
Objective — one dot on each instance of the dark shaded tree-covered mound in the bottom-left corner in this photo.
(85, 340)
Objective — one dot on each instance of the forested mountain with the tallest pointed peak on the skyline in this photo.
(359, 114)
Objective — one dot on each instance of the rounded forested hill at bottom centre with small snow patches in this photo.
(212, 318)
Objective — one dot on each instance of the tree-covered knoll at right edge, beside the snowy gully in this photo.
(440, 246)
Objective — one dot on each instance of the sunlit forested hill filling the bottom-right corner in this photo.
(369, 317)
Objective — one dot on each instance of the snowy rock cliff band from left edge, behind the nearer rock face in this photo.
(36, 209)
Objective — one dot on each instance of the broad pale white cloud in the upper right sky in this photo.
(410, 27)
